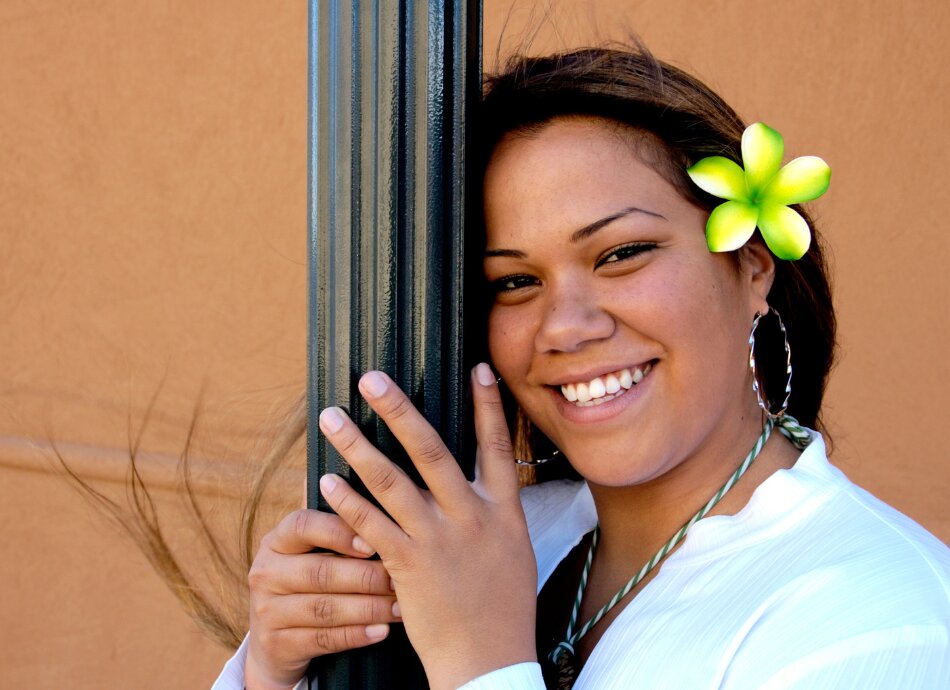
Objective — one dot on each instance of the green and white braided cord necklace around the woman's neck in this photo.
(562, 655)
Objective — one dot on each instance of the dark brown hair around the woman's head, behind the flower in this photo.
(688, 121)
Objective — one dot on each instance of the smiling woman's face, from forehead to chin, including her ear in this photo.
(622, 337)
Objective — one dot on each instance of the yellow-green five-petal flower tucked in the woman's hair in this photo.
(760, 195)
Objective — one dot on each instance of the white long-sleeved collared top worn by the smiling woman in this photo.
(814, 585)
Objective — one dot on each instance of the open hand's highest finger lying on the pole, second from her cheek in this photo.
(435, 463)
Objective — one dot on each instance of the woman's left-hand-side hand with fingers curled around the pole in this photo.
(307, 604)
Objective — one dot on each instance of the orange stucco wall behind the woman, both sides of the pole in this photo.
(152, 238)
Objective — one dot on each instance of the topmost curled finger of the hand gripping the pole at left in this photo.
(305, 530)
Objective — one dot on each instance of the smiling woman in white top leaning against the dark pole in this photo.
(709, 543)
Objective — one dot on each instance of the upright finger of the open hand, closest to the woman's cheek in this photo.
(496, 463)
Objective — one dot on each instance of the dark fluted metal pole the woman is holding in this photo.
(391, 85)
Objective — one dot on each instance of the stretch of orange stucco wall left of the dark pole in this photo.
(152, 236)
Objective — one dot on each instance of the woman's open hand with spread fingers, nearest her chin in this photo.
(459, 555)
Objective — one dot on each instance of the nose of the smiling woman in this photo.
(571, 319)
